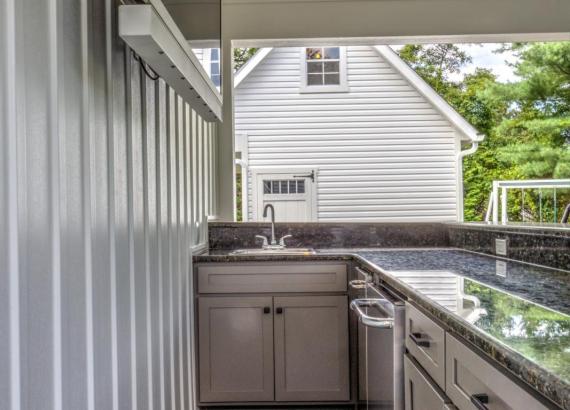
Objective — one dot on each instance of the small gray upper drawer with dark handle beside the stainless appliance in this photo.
(426, 342)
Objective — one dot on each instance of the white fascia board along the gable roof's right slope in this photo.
(462, 126)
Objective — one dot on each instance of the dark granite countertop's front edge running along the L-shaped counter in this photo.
(532, 375)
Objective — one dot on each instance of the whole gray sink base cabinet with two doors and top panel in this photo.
(273, 332)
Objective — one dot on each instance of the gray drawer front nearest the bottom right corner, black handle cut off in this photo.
(469, 375)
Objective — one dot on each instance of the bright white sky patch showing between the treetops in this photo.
(483, 57)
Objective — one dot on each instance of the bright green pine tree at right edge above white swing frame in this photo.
(538, 122)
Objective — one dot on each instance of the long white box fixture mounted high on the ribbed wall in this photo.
(163, 47)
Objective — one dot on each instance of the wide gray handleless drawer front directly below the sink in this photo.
(272, 278)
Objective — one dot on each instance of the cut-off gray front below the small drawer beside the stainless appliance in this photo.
(421, 393)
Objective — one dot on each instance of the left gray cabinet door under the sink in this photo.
(236, 349)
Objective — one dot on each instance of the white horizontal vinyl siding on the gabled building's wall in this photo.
(383, 152)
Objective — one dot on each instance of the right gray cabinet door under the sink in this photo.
(311, 348)
